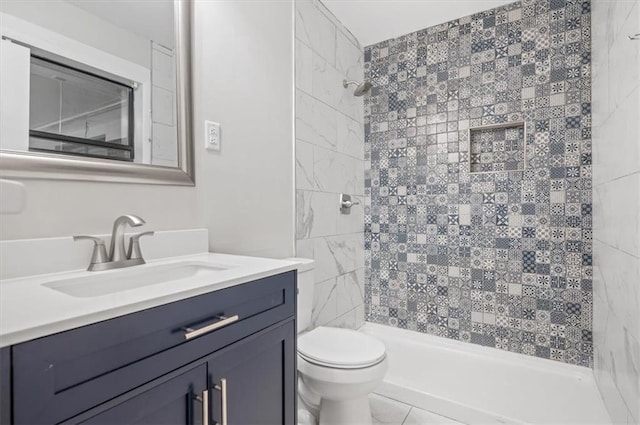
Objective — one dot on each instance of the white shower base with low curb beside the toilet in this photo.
(481, 385)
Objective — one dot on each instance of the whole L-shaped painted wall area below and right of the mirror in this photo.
(244, 195)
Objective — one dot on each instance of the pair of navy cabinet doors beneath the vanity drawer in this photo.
(248, 381)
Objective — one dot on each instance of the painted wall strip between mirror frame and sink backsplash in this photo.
(59, 208)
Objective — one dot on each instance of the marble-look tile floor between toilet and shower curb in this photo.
(386, 411)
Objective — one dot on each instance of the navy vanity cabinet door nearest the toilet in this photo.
(255, 379)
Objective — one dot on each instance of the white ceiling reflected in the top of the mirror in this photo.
(150, 19)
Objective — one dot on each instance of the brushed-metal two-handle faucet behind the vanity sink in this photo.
(117, 256)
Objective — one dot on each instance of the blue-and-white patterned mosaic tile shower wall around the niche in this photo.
(501, 259)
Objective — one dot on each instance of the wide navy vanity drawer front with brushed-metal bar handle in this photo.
(60, 375)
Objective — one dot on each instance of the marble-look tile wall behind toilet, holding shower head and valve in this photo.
(329, 161)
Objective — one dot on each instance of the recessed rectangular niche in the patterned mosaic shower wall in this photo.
(497, 147)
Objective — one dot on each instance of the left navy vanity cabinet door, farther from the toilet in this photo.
(174, 399)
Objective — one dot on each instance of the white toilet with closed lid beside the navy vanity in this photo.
(337, 368)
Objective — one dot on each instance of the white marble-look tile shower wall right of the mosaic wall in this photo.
(616, 202)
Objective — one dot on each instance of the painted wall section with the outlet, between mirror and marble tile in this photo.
(244, 80)
